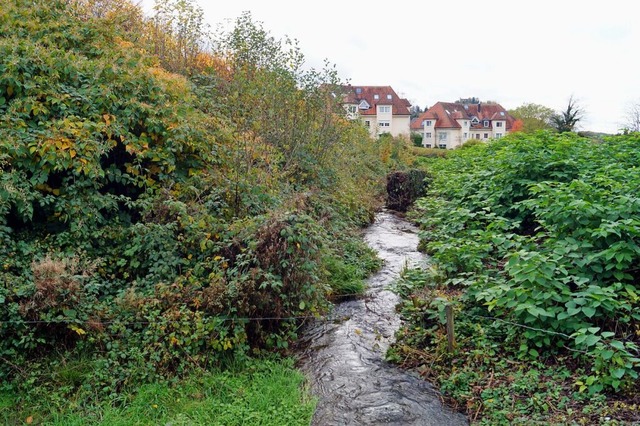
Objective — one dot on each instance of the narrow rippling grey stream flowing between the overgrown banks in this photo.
(344, 358)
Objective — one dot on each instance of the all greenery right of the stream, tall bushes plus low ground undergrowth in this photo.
(534, 242)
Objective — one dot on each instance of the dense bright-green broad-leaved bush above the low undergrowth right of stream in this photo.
(539, 232)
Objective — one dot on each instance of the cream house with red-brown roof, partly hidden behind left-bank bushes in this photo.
(379, 107)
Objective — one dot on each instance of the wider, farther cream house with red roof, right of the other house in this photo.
(448, 125)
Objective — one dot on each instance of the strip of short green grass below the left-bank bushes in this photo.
(261, 392)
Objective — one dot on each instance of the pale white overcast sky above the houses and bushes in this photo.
(512, 52)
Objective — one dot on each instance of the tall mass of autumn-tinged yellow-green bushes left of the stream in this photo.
(164, 208)
